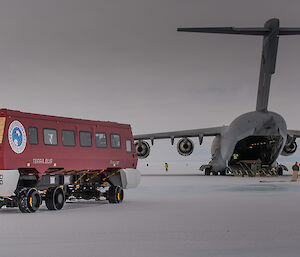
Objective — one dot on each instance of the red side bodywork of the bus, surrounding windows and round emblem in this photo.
(43, 157)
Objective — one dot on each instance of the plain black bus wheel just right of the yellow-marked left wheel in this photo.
(55, 198)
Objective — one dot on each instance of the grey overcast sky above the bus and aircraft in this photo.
(122, 60)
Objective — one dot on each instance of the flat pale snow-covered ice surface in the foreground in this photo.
(166, 216)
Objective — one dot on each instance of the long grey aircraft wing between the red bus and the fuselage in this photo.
(214, 131)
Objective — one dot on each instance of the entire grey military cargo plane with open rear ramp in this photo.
(259, 135)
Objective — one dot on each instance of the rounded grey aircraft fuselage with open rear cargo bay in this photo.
(251, 136)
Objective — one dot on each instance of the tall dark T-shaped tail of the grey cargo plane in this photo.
(271, 32)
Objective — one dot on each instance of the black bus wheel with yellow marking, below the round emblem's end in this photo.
(29, 200)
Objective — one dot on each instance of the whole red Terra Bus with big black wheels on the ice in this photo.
(49, 158)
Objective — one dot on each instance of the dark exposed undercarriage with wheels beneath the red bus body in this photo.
(55, 188)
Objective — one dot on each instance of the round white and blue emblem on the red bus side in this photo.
(17, 137)
